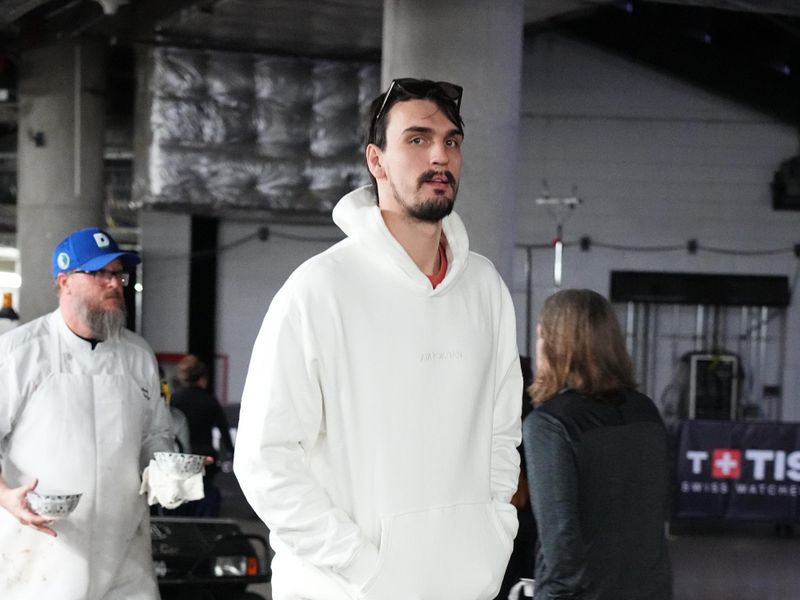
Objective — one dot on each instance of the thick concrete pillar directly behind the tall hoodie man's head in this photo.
(476, 44)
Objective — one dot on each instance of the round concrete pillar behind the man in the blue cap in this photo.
(59, 158)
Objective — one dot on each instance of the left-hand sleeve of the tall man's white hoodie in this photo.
(281, 417)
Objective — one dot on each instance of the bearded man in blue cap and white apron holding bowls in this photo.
(80, 411)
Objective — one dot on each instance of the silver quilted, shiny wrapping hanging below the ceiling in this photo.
(229, 130)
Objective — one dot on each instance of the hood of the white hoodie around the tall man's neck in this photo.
(357, 214)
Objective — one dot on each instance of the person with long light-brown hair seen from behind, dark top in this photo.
(598, 461)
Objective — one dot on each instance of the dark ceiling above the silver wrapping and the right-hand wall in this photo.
(747, 49)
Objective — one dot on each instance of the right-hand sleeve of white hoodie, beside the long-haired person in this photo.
(506, 424)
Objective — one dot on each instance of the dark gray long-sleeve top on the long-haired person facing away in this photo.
(599, 478)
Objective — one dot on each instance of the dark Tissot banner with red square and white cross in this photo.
(738, 470)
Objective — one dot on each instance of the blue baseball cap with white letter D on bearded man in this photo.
(89, 249)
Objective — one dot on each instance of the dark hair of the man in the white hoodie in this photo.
(442, 94)
